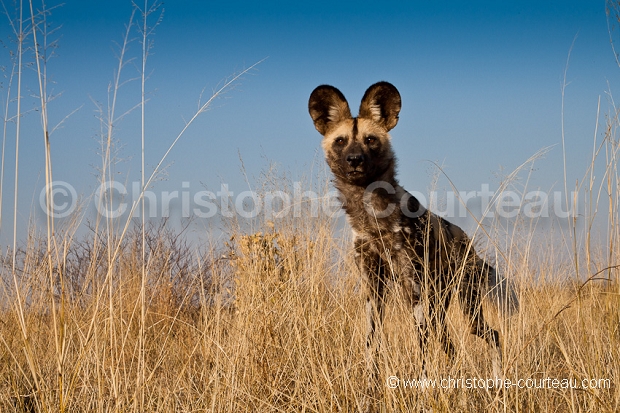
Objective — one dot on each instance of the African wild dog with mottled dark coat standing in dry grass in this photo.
(395, 237)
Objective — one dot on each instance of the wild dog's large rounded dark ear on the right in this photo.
(381, 103)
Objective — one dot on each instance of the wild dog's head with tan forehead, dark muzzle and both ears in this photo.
(357, 150)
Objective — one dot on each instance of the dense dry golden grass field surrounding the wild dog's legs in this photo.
(274, 322)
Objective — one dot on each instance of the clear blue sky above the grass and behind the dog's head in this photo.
(481, 85)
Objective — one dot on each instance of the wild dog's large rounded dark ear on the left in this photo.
(327, 107)
